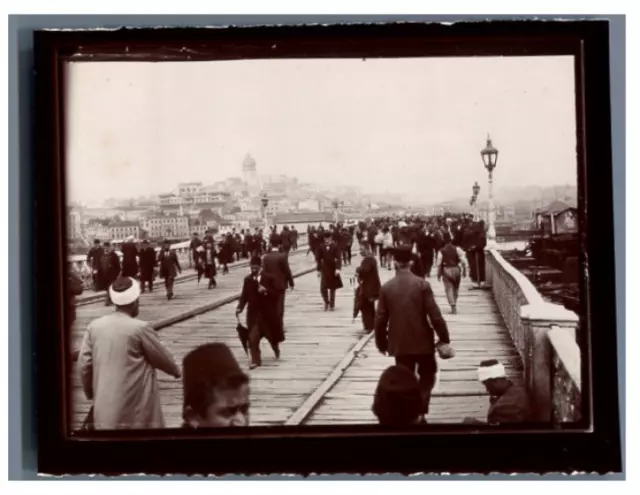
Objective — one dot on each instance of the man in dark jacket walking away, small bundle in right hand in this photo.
(407, 320)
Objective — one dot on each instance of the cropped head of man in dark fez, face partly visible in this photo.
(215, 390)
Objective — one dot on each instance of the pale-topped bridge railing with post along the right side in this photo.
(544, 334)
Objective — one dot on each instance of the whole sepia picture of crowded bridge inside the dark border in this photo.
(323, 241)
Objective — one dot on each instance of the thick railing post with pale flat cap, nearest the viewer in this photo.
(538, 319)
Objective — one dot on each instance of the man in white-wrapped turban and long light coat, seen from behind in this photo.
(118, 358)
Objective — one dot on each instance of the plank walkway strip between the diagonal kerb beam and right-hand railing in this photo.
(477, 333)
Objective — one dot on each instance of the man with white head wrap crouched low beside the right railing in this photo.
(509, 402)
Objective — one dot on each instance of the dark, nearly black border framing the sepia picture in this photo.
(591, 444)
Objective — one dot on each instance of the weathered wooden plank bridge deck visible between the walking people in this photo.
(316, 342)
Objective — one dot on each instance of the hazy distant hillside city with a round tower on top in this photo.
(237, 203)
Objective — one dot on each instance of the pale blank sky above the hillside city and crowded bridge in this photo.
(411, 126)
